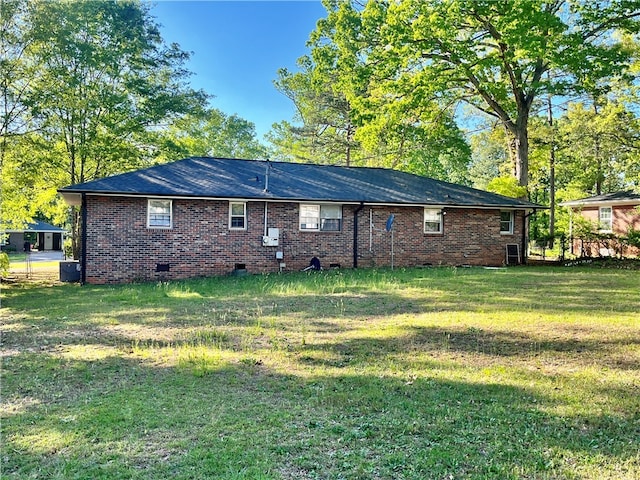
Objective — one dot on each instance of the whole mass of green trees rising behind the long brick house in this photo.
(91, 89)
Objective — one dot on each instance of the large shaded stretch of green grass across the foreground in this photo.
(117, 418)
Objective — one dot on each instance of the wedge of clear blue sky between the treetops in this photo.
(237, 48)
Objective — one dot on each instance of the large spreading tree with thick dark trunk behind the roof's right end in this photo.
(491, 54)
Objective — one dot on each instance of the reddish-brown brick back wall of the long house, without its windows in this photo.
(120, 247)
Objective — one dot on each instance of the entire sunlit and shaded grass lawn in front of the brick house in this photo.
(404, 374)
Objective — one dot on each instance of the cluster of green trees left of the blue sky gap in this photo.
(90, 89)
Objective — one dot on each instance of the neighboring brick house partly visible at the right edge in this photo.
(612, 213)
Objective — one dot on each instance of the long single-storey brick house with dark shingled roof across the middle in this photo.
(212, 216)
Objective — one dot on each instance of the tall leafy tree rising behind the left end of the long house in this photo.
(103, 78)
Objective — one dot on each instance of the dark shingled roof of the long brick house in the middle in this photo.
(245, 179)
